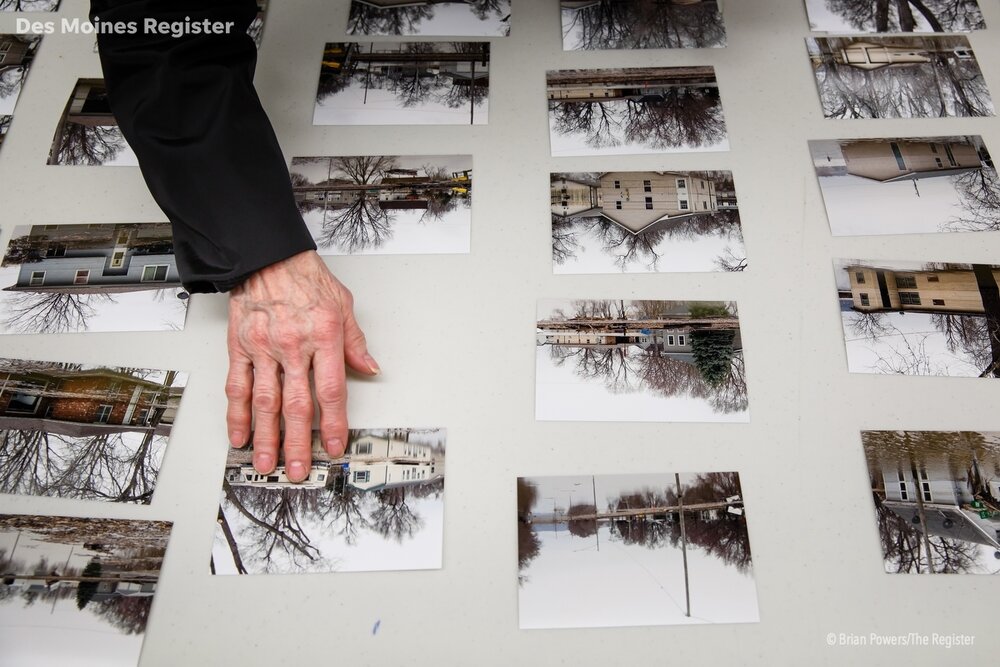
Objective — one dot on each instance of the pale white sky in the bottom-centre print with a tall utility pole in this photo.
(572, 584)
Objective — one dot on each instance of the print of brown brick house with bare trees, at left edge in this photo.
(85, 432)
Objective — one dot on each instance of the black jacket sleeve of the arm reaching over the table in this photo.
(188, 108)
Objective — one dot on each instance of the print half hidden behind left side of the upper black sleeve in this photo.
(88, 133)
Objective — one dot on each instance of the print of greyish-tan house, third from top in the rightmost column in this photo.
(907, 185)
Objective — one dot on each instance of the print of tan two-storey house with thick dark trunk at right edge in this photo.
(908, 318)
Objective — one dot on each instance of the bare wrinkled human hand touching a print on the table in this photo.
(283, 320)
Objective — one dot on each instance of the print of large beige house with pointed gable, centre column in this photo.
(645, 221)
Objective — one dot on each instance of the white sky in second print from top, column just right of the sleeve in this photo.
(383, 108)
